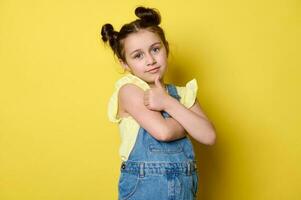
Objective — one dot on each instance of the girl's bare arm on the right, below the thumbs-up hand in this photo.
(193, 120)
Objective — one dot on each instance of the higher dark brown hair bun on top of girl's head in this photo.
(148, 15)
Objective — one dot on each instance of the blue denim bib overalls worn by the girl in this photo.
(157, 170)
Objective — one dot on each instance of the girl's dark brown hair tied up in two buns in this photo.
(149, 19)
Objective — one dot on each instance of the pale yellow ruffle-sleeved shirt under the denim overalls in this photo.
(128, 126)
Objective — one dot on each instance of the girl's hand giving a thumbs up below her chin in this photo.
(155, 98)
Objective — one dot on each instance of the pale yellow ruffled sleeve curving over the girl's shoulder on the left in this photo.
(113, 102)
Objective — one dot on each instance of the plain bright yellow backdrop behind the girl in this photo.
(56, 77)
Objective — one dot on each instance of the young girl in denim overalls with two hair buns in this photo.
(158, 160)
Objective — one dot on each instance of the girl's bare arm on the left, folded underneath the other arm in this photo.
(163, 129)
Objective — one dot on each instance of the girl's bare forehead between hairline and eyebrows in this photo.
(140, 39)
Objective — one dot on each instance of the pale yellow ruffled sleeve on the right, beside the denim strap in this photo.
(188, 93)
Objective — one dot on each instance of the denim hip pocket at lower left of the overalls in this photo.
(127, 185)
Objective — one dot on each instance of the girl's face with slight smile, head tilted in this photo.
(145, 54)
